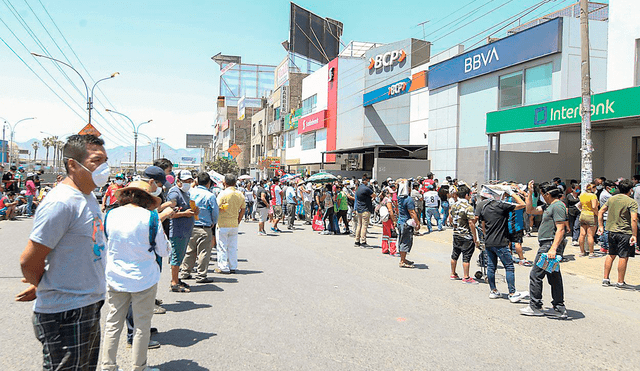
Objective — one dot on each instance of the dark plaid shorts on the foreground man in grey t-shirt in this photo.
(70, 340)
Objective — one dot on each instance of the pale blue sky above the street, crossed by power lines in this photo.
(162, 50)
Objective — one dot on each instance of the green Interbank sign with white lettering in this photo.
(605, 106)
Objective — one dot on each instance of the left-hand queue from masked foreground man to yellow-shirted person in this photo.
(120, 248)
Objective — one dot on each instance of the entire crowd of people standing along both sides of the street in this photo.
(183, 217)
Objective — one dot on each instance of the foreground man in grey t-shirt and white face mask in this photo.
(68, 233)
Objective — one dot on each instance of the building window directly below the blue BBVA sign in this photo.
(529, 86)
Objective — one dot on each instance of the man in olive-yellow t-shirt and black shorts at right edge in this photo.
(622, 225)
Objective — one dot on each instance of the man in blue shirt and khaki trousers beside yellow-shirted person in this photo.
(201, 243)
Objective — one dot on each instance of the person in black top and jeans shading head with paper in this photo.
(494, 216)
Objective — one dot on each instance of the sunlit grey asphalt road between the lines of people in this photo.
(302, 301)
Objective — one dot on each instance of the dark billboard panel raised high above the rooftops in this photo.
(312, 36)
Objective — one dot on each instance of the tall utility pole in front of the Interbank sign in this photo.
(586, 170)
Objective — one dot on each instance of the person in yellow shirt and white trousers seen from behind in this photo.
(231, 204)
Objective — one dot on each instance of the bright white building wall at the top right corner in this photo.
(624, 30)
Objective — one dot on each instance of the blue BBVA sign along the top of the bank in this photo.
(536, 42)
